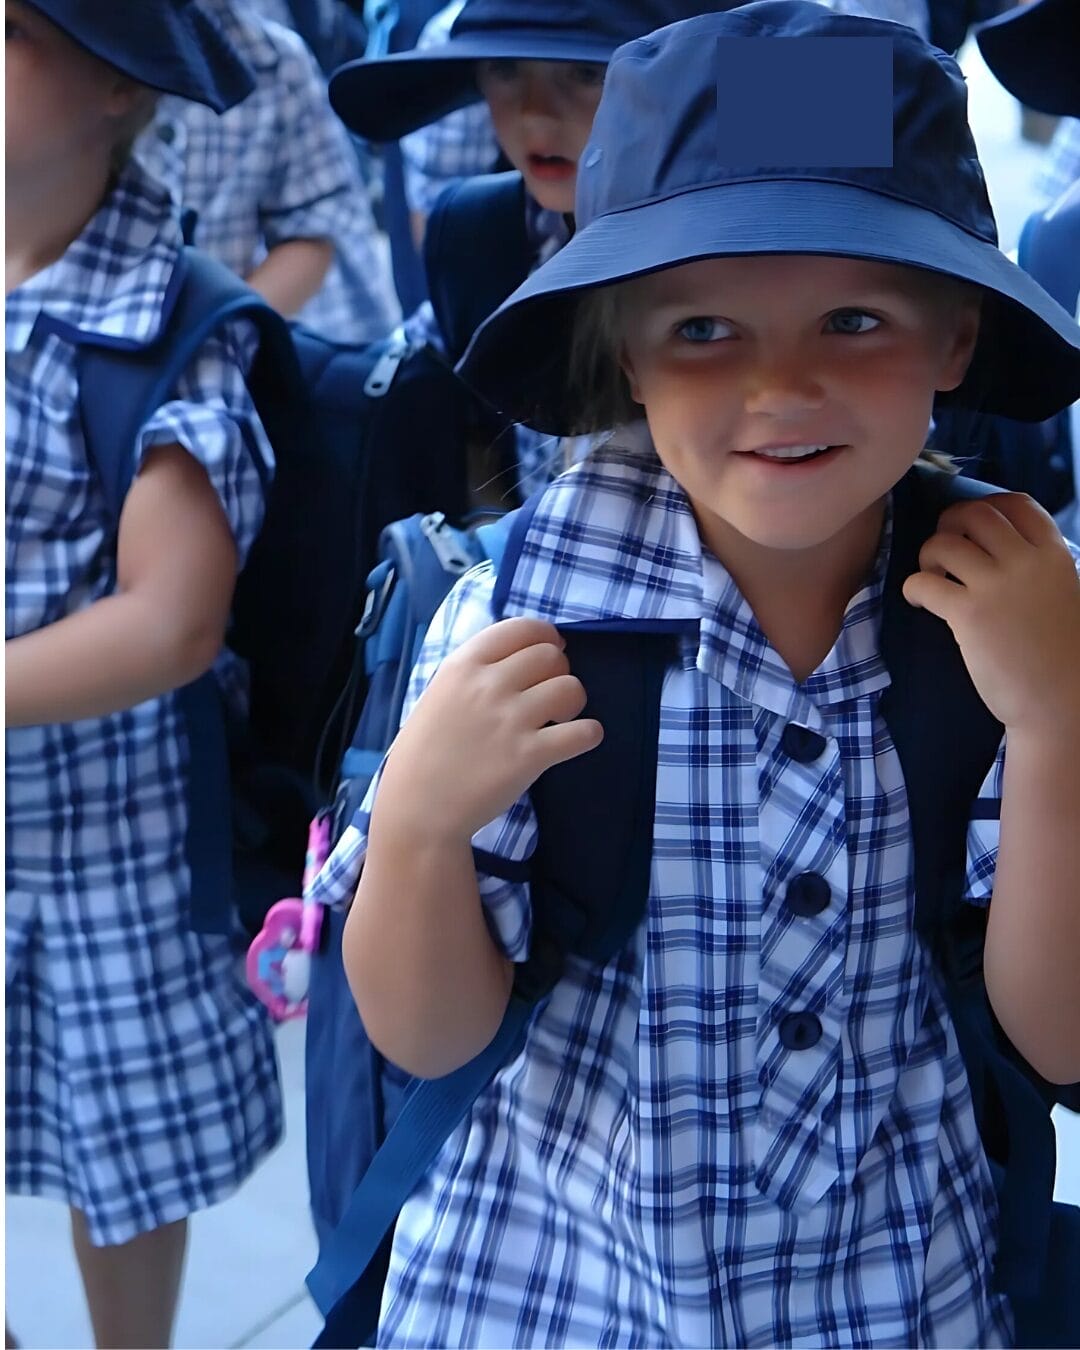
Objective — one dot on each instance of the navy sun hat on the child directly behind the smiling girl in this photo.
(395, 95)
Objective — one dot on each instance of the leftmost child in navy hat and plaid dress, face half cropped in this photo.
(141, 1073)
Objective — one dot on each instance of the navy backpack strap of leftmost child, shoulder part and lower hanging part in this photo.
(119, 391)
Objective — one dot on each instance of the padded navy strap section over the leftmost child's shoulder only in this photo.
(121, 389)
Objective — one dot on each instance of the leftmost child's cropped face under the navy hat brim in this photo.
(63, 103)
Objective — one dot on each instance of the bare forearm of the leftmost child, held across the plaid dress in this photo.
(109, 657)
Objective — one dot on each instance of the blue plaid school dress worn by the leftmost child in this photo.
(141, 1073)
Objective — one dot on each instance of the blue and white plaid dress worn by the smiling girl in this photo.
(753, 1128)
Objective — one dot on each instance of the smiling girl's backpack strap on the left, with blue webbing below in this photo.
(608, 794)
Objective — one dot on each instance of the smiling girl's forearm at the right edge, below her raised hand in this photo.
(1033, 936)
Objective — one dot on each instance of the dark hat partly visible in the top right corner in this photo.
(1035, 51)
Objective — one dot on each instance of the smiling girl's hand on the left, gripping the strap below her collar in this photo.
(497, 713)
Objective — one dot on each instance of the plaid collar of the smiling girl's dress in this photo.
(615, 542)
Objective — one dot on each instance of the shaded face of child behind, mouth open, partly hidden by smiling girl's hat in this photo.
(543, 114)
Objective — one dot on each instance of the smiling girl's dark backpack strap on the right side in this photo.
(947, 742)
